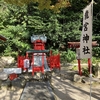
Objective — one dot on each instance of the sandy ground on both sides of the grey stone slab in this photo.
(63, 89)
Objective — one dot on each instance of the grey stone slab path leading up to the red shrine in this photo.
(37, 91)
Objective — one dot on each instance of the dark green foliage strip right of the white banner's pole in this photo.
(96, 29)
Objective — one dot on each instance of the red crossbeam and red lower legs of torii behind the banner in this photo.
(77, 45)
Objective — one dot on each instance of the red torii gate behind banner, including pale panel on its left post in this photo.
(77, 46)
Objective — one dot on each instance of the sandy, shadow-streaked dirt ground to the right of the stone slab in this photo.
(66, 89)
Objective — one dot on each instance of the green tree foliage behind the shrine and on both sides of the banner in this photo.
(19, 23)
